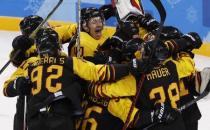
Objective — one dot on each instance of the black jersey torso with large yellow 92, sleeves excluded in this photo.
(49, 75)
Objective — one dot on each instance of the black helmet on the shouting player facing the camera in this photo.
(88, 13)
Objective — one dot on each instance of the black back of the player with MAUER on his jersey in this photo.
(161, 85)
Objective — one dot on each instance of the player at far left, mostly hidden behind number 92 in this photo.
(24, 48)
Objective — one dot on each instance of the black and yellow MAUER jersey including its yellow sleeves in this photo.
(161, 84)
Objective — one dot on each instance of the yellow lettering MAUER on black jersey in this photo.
(158, 73)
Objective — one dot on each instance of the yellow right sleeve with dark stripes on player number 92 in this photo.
(98, 73)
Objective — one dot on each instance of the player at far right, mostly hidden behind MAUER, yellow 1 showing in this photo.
(192, 114)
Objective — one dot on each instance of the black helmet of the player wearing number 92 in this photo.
(47, 42)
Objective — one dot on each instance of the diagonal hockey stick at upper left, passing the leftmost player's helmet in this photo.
(33, 34)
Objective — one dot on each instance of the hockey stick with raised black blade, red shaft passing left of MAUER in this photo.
(162, 12)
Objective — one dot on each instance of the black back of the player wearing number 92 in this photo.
(50, 75)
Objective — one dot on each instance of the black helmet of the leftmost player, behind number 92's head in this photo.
(29, 24)
